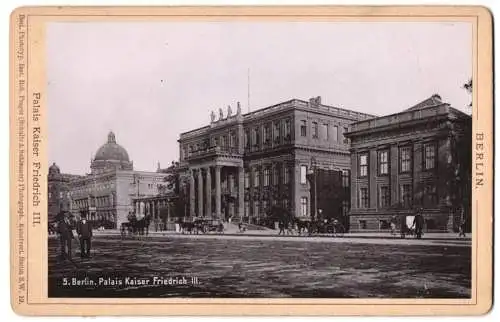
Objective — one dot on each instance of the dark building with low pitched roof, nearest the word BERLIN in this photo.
(417, 159)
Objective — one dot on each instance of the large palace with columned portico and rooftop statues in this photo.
(239, 165)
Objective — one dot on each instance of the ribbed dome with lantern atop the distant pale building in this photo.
(111, 155)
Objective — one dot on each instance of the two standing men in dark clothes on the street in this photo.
(66, 236)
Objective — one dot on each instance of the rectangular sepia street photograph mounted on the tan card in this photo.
(259, 159)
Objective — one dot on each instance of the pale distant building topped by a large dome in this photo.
(105, 196)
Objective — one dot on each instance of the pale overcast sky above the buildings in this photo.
(148, 82)
